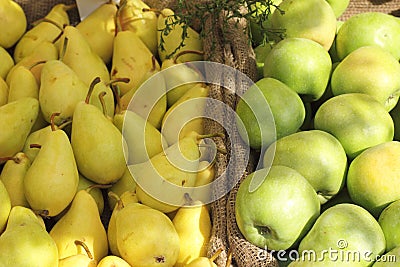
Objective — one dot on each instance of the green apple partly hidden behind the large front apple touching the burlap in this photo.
(315, 154)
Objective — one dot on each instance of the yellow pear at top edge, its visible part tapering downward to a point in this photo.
(98, 28)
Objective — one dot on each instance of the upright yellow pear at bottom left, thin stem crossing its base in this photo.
(81, 222)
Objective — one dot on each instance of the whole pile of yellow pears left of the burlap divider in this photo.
(76, 144)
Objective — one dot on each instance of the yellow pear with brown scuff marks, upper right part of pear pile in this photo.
(131, 59)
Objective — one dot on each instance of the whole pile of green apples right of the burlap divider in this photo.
(324, 114)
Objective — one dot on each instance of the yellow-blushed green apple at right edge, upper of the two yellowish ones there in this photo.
(370, 70)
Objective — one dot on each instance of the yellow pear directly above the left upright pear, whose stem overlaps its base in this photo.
(60, 90)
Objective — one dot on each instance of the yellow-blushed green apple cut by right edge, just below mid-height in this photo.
(374, 176)
